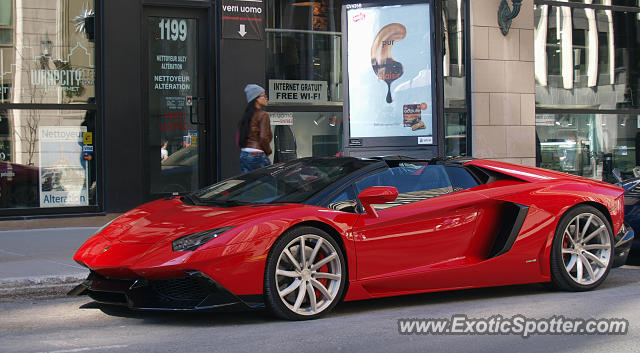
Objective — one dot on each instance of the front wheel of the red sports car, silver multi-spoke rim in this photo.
(305, 274)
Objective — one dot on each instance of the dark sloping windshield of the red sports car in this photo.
(291, 182)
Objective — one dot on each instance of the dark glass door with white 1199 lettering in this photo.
(175, 100)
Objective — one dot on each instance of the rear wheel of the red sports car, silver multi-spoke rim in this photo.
(582, 251)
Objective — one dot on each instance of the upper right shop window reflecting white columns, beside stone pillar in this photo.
(585, 58)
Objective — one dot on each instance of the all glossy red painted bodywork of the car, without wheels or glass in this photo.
(435, 244)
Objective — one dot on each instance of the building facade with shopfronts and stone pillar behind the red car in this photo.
(109, 104)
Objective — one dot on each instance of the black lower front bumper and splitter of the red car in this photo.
(193, 291)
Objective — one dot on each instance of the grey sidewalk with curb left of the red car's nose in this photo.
(36, 256)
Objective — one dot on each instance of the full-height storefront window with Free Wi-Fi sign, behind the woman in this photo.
(304, 74)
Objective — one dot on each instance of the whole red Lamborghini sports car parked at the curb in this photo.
(301, 236)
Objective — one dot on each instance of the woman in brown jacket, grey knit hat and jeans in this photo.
(254, 131)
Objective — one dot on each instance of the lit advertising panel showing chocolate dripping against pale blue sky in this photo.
(389, 63)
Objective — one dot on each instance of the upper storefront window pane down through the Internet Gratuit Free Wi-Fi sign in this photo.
(304, 52)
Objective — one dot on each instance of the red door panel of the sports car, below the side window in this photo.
(420, 234)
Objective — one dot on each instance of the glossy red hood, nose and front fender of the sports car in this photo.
(139, 242)
